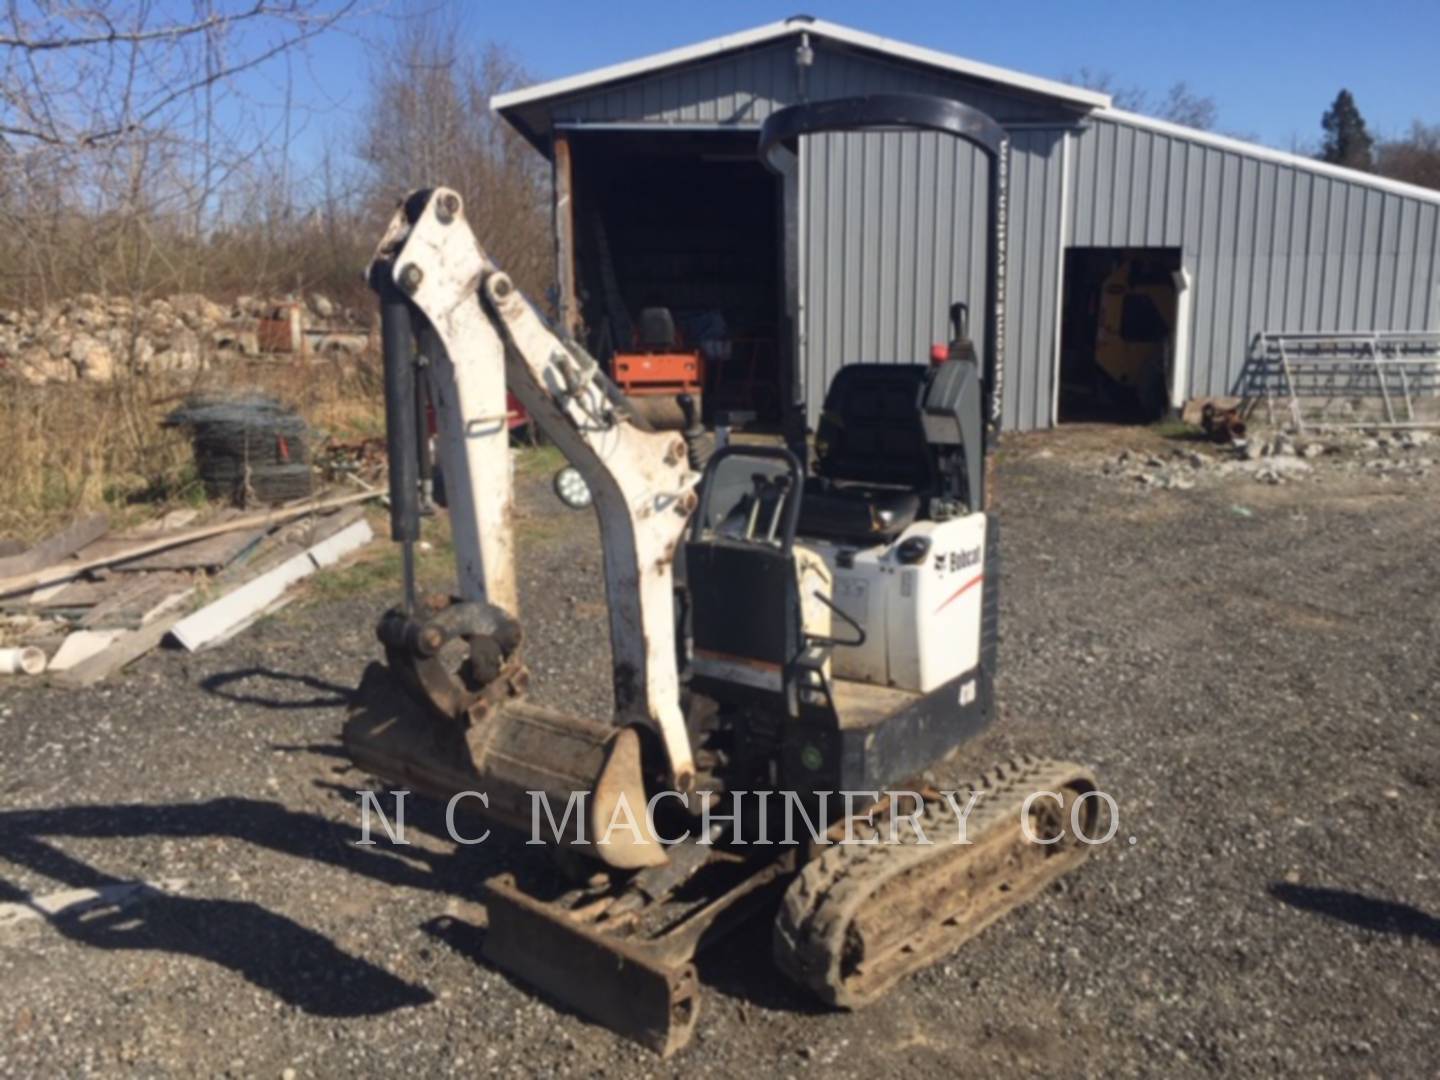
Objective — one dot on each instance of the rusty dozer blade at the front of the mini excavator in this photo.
(617, 984)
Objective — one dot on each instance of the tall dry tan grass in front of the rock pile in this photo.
(80, 447)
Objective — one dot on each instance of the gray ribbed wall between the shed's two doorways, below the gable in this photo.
(895, 231)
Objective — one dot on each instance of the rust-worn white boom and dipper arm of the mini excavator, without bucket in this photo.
(453, 320)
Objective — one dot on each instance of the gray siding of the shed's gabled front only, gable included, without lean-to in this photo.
(895, 224)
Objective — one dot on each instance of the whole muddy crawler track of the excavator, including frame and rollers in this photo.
(865, 915)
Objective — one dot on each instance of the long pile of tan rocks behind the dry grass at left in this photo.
(97, 339)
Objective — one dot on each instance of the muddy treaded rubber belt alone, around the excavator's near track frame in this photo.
(832, 891)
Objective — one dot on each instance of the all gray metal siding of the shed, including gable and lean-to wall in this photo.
(895, 222)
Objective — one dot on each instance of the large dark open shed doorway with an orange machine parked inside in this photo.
(678, 253)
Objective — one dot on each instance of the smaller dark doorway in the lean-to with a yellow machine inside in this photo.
(1118, 333)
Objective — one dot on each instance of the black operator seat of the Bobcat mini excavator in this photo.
(873, 464)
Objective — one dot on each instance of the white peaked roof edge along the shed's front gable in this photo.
(817, 28)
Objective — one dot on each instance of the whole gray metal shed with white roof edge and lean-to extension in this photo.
(659, 199)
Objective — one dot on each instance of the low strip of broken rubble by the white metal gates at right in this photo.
(1279, 459)
